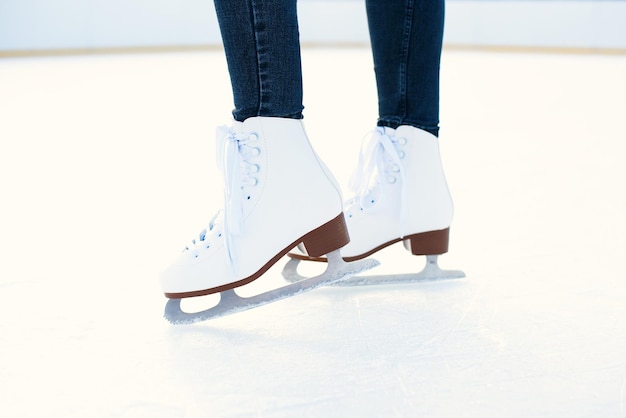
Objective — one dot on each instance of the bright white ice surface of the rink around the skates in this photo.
(107, 169)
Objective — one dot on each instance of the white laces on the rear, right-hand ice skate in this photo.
(379, 166)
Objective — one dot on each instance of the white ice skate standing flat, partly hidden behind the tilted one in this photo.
(401, 194)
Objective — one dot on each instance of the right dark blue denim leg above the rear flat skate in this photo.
(406, 37)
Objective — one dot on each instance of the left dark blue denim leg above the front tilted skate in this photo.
(262, 45)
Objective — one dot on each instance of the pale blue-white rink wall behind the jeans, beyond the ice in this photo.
(27, 25)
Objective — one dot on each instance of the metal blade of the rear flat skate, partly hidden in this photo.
(431, 272)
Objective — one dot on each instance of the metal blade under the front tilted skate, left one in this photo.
(230, 302)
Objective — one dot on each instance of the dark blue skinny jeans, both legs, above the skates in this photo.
(262, 46)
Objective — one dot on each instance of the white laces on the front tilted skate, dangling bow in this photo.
(233, 151)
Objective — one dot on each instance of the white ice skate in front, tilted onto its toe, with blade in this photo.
(268, 211)
